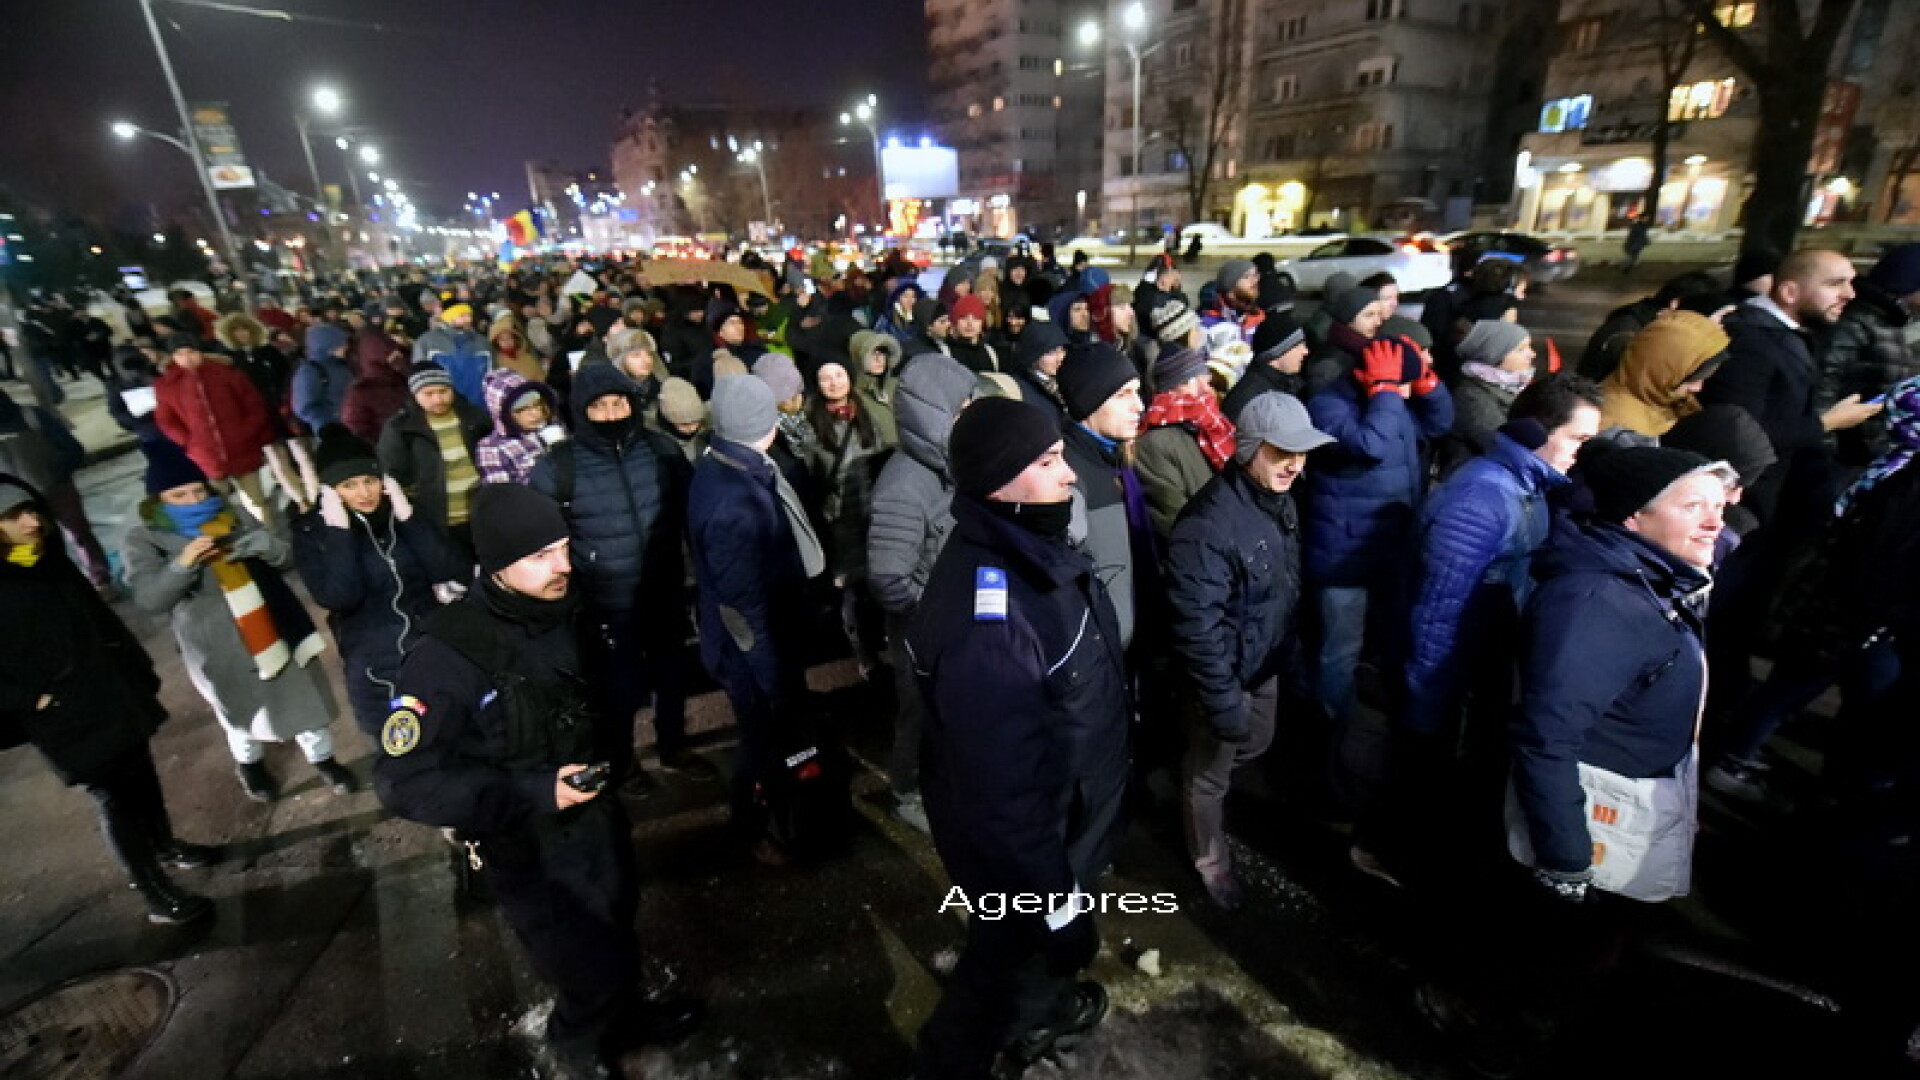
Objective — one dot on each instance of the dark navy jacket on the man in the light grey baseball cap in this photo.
(1234, 577)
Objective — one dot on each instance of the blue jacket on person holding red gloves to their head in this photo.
(1366, 489)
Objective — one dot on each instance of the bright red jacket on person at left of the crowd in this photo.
(216, 416)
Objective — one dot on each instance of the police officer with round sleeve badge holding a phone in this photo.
(491, 724)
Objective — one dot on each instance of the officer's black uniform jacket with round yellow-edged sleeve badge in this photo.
(491, 706)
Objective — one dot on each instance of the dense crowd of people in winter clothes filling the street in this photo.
(1495, 593)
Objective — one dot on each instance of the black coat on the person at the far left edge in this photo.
(62, 639)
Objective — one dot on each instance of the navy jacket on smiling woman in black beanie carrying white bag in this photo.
(1614, 675)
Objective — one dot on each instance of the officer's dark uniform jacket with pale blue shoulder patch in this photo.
(1026, 747)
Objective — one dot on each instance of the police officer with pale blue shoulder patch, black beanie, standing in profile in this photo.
(1026, 747)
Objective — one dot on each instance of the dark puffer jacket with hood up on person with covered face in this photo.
(627, 508)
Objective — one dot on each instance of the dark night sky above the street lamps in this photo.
(458, 93)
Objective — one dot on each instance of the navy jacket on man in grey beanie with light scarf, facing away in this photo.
(754, 585)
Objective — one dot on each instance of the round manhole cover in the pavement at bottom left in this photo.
(87, 1029)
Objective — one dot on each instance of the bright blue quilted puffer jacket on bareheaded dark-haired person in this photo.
(1479, 535)
